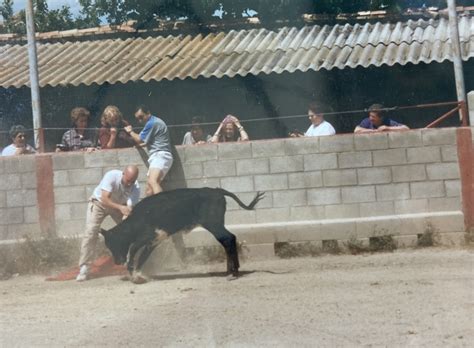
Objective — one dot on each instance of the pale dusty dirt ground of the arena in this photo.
(411, 297)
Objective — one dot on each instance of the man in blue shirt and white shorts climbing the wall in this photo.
(155, 137)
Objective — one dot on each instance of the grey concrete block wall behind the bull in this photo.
(316, 188)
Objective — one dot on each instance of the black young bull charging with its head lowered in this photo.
(172, 212)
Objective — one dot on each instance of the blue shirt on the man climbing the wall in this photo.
(155, 135)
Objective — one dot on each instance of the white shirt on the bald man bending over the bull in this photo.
(112, 182)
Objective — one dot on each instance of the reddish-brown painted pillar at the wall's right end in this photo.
(466, 166)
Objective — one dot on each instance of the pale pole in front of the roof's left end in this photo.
(34, 84)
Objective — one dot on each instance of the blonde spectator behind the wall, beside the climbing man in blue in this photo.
(111, 134)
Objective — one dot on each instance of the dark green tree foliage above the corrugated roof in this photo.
(148, 13)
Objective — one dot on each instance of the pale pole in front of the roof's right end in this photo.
(457, 59)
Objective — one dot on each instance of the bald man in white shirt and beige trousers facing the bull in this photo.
(115, 196)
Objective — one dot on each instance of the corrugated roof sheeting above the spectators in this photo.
(234, 53)
